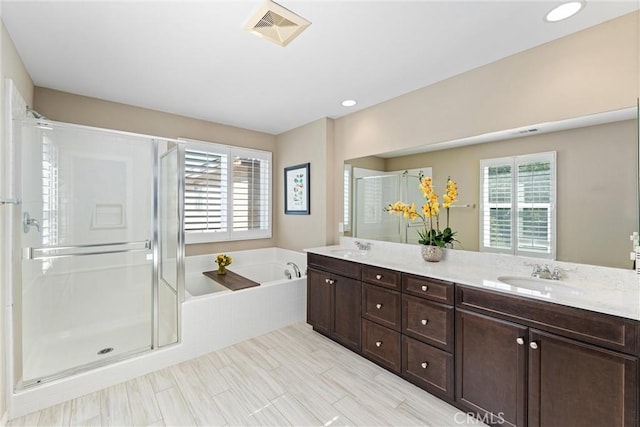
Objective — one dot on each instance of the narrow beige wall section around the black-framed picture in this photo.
(311, 143)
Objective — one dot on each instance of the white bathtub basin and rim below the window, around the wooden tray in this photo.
(266, 266)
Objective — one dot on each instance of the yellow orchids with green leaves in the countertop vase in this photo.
(430, 234)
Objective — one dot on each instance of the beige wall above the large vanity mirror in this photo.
(588, 72)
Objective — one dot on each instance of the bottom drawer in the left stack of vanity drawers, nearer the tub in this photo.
(382, 345)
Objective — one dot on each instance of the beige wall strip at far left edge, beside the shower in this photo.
(13, 68)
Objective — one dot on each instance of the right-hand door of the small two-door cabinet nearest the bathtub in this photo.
(347, 307)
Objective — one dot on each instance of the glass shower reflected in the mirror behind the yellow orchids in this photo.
(373, 190)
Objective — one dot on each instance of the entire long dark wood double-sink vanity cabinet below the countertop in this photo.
(513, 361)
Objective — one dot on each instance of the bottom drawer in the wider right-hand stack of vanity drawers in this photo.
(427, 367)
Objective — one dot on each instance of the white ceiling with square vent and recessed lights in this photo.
(192, 57)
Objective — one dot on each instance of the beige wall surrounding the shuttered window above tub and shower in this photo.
(66, 107)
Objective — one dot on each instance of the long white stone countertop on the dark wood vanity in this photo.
(601, 289)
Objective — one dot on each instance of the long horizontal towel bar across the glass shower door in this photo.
(83, 250)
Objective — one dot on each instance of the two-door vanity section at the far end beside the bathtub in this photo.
(334, 299)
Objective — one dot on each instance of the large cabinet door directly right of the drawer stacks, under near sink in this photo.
(491, 368)
